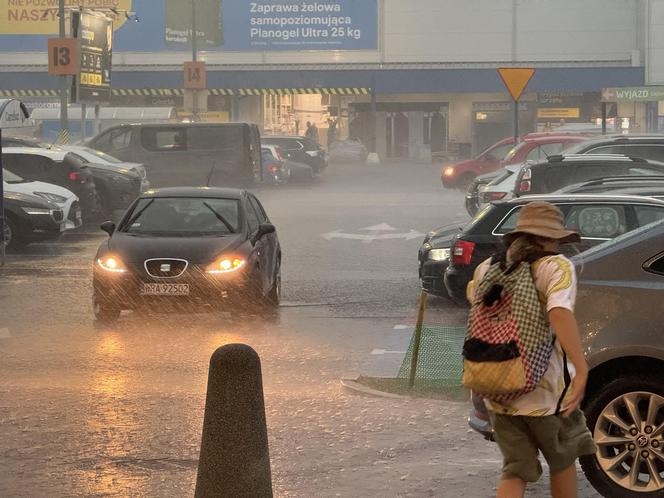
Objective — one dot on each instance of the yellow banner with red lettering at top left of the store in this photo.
(39, 17)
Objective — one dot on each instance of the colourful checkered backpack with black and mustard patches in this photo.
(509, 342)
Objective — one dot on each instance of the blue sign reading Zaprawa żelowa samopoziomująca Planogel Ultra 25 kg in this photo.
(300, 25)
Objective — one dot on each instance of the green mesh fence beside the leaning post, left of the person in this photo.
(439, 363)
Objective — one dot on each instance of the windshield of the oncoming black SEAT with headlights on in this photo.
(182, 216)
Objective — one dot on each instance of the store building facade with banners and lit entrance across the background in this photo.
(430, 65)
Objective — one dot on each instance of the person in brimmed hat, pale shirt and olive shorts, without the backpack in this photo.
(547, 419)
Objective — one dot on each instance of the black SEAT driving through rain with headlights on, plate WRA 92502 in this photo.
(186, 248)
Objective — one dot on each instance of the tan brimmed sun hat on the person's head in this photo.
(544, 220)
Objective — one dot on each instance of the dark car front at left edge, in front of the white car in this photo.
(29, 218)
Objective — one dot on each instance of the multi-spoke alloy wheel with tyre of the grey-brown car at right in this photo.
(626, 418)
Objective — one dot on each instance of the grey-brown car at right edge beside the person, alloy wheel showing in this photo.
(619, 312)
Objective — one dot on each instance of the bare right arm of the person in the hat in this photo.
(564, 324)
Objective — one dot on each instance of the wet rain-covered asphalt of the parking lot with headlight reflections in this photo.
(87, 410)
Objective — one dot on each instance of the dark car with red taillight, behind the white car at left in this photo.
(55, 166)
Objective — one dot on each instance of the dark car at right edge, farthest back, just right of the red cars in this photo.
(644, 146)
